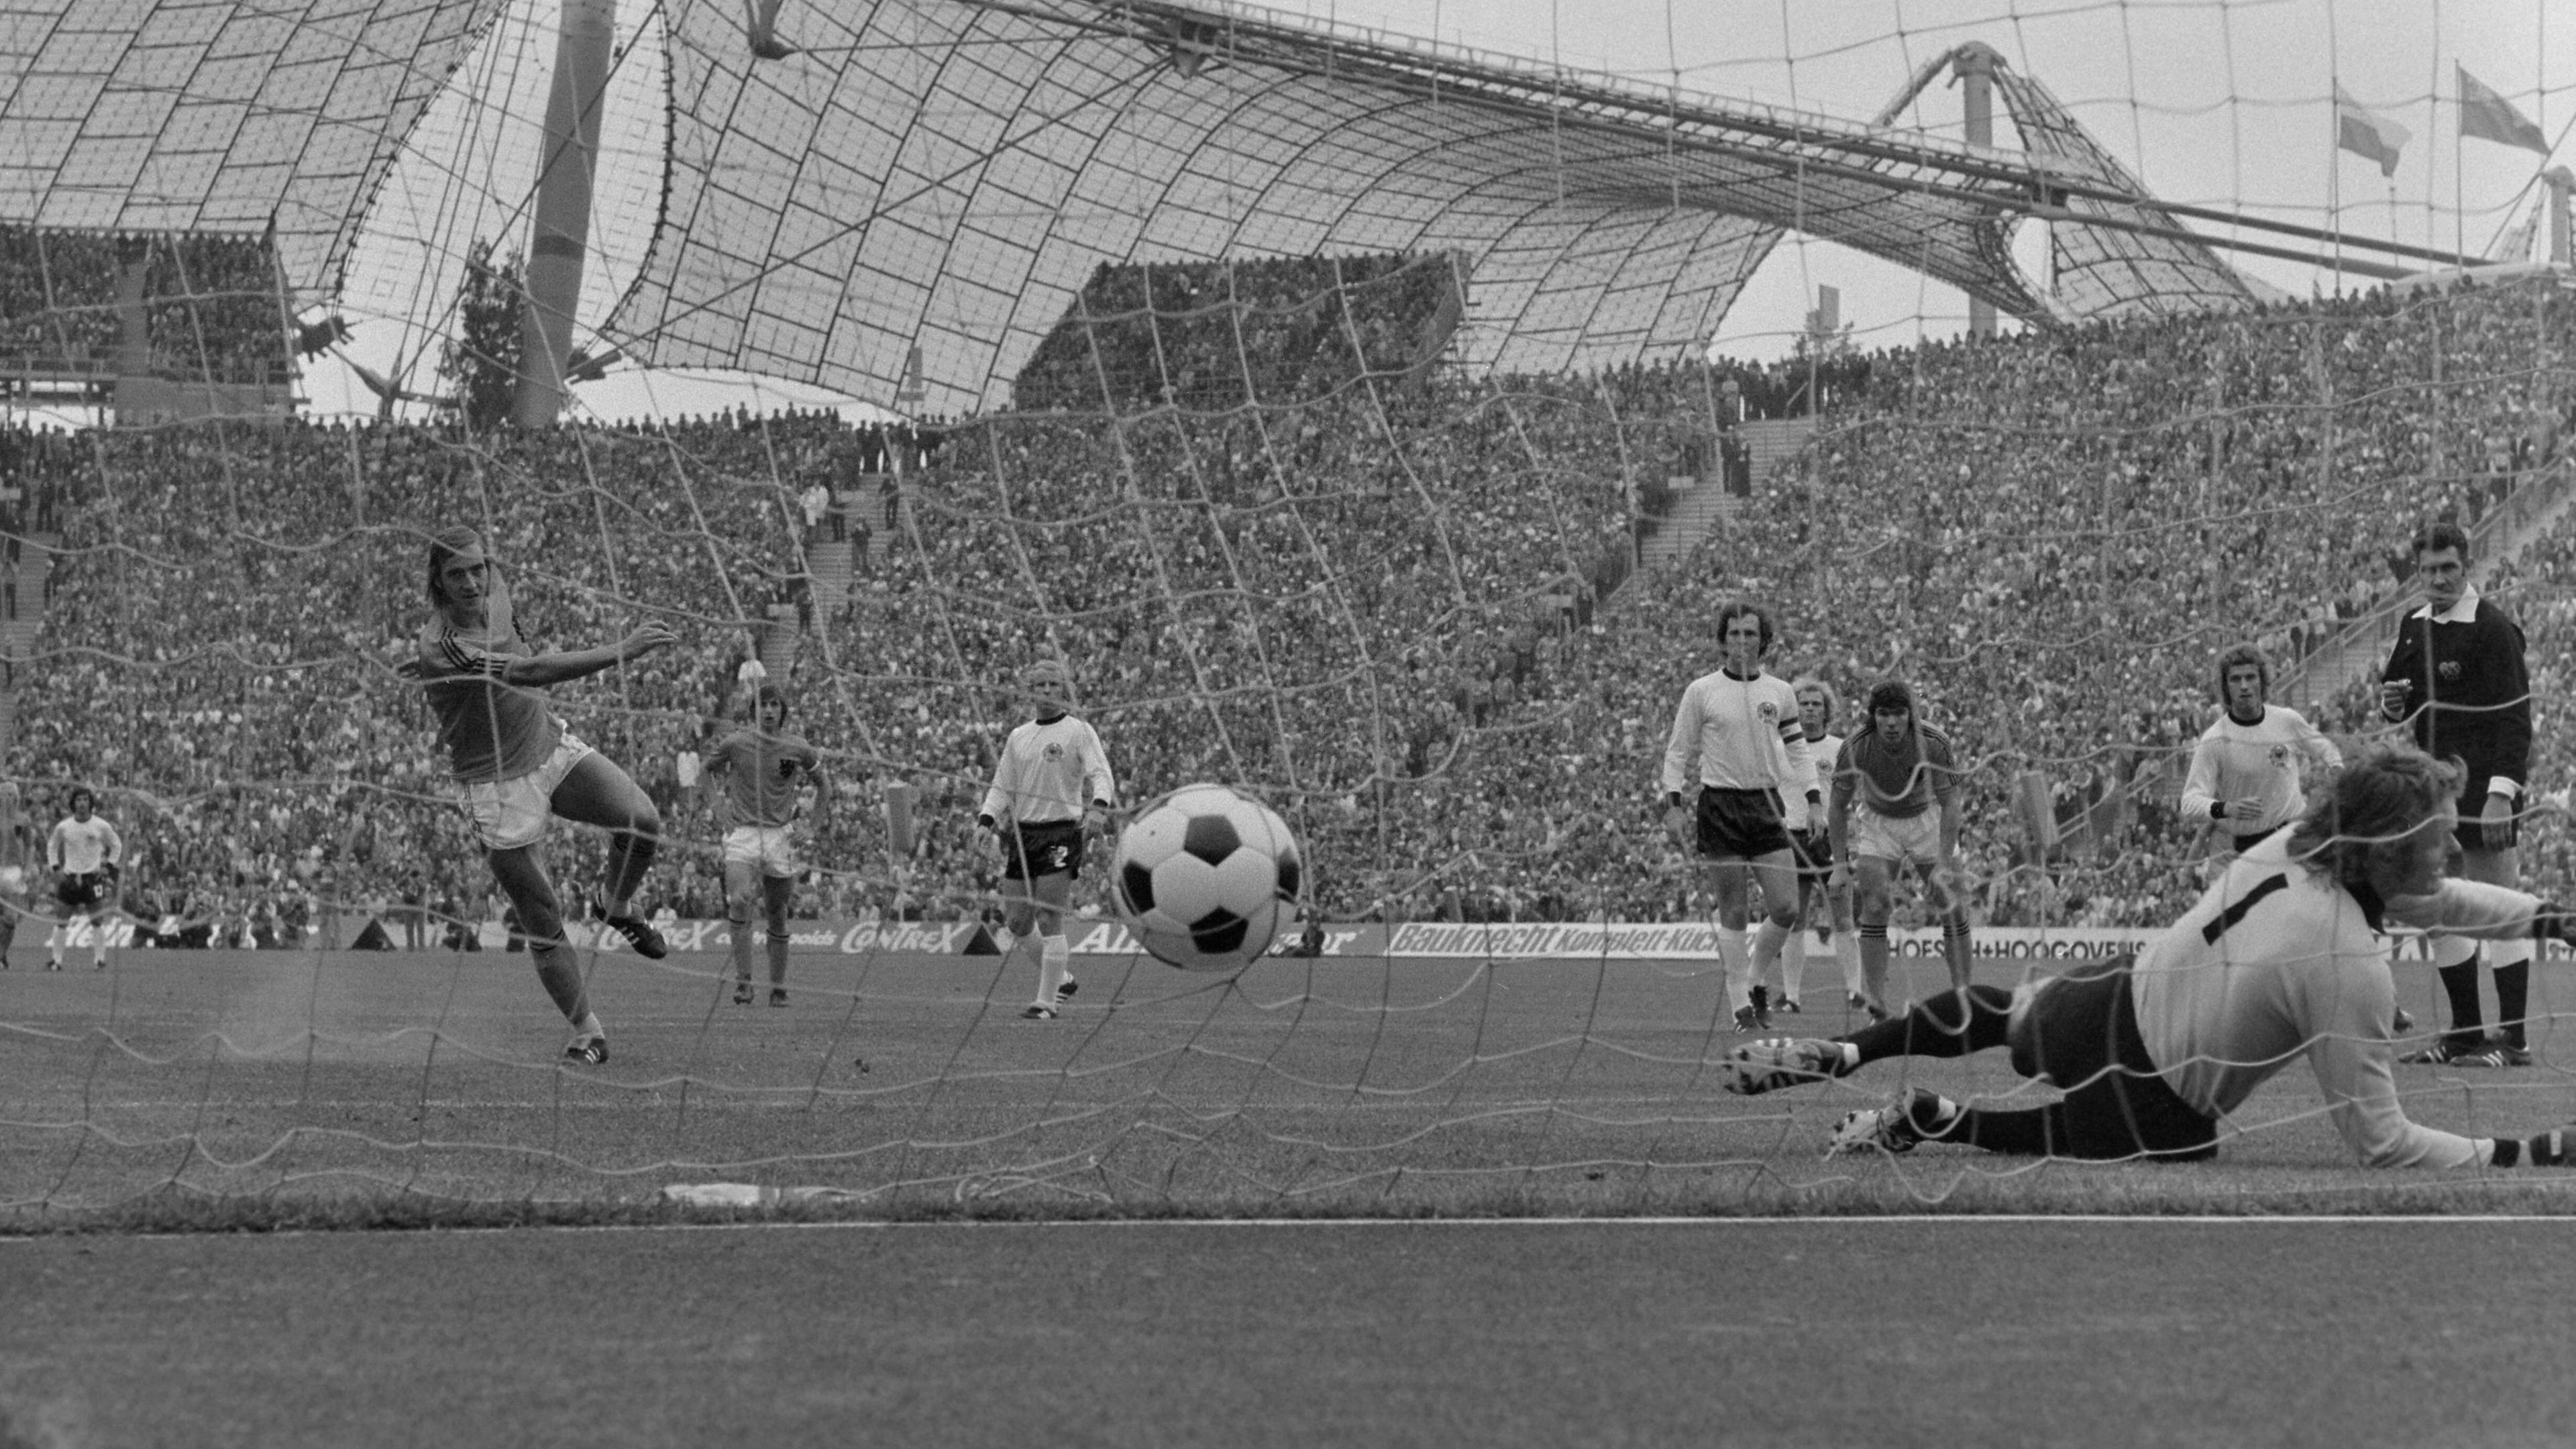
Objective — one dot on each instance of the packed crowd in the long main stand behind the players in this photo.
(1397, 607)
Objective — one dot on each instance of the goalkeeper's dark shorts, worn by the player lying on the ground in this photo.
(2080, 1035)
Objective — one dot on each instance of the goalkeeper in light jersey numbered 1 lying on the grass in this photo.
(2284, 958)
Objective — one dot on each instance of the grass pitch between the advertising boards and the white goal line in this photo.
(267, 1089)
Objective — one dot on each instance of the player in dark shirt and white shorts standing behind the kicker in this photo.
(759, 803)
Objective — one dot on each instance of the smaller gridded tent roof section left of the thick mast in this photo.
(218, 115)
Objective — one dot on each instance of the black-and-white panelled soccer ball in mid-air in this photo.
(1207, 878)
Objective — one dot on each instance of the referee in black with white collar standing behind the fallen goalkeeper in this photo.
(2459, 679)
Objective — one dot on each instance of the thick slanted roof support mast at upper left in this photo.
(583, 48)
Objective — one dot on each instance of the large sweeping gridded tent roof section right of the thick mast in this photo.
(947, 174)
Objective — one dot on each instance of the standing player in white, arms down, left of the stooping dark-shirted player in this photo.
(1758, 785)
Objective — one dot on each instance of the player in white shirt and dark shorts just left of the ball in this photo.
(1050, 793)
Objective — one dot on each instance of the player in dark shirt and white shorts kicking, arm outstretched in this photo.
(519, 767)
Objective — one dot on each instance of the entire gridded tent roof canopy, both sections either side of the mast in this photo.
(947, 174)
